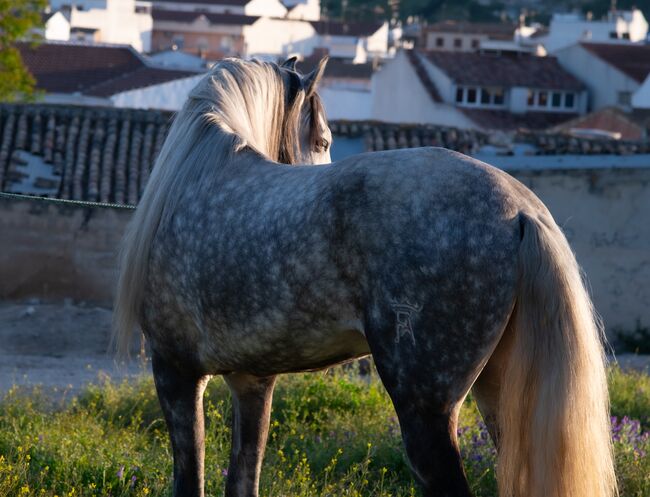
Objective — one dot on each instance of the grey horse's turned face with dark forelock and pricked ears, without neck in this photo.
(308, 138)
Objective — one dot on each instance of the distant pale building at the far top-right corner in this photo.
(567, 29)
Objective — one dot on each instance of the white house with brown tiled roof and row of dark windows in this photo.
(476, 90)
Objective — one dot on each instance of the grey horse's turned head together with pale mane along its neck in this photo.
(266, 107)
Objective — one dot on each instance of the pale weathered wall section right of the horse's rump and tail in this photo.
(605, 214)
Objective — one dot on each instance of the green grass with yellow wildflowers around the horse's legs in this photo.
(332, 434)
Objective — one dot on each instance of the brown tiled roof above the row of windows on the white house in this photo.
(529, 71)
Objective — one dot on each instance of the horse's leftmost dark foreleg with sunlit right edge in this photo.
(181, 397)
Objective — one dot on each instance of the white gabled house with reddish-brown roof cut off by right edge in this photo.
(613, 72)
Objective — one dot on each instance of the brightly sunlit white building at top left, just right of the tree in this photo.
(126, 22)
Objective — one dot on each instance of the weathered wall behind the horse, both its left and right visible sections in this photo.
(56, 252)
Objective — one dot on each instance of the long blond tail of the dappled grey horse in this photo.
(554, 432)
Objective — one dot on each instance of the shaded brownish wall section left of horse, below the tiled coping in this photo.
(55, 252)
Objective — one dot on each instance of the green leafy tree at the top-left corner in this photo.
(20, 20)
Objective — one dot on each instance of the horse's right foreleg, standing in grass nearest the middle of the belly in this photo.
(251, 400)
